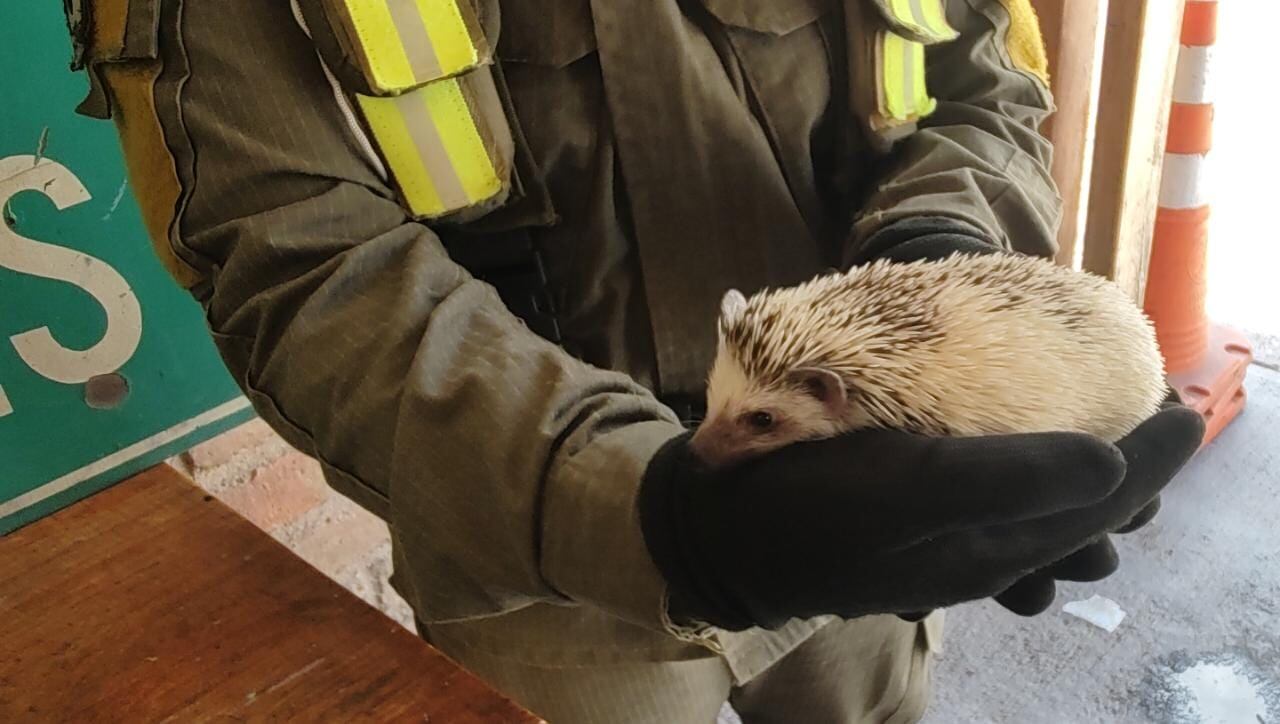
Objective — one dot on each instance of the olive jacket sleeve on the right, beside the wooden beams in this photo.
(980, 157)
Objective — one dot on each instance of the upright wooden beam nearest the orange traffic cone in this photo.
(1140, 61)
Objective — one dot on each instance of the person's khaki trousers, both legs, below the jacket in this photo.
(876, 670)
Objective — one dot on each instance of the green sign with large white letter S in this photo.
(106, 363)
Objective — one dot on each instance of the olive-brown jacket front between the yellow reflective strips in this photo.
(687, 148)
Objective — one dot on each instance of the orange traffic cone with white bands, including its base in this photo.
(1206, 363)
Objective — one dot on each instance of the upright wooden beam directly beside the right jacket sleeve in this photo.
(1075, 45)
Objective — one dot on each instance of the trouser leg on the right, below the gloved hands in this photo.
(874, 670)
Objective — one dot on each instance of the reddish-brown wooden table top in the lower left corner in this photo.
(153, 602)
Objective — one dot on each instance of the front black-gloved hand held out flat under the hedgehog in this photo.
(876, 523)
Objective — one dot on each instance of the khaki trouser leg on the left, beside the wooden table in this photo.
(665, 693)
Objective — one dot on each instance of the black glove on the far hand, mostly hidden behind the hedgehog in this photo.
(935, 239)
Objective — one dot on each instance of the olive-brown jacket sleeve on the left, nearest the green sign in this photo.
(359, 340)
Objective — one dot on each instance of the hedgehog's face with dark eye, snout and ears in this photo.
(749, 418)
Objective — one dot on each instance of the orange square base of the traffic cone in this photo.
(1215, 388)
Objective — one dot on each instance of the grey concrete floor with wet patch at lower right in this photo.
(1201, 589)
